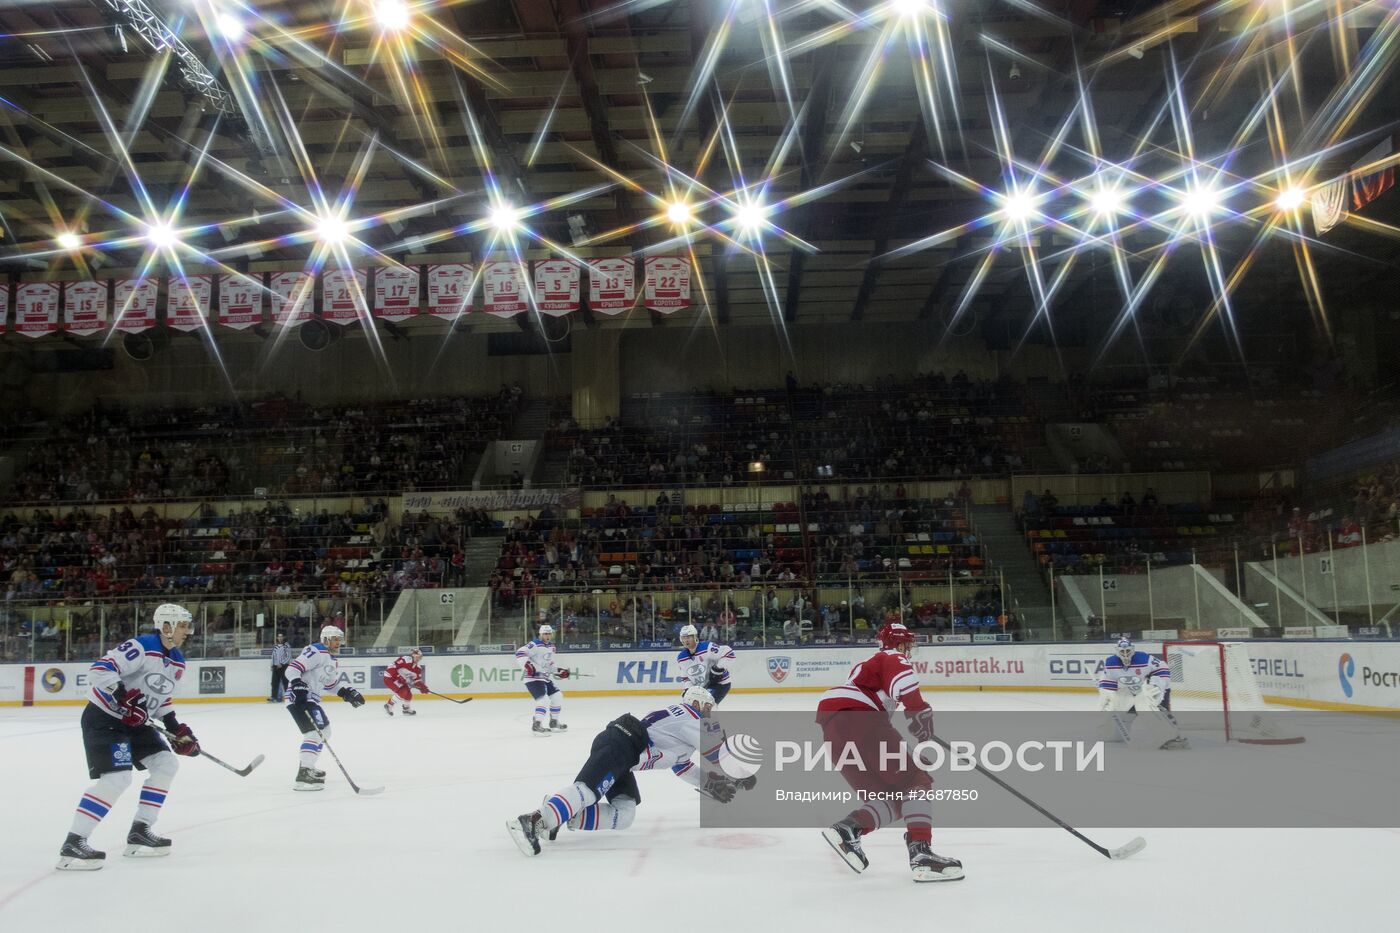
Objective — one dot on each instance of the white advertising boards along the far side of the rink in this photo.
(1343, 676)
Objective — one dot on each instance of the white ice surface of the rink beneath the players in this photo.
(432, 852)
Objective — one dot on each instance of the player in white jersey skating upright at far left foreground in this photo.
(132, 684)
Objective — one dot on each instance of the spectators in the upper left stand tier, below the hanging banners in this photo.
(279, 446)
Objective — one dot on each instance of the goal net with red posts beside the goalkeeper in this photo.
(1217, 677)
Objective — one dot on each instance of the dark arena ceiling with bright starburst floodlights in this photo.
(841, 162)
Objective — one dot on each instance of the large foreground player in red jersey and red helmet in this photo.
(859, 714)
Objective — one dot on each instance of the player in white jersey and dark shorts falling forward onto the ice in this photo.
(605, 795)
